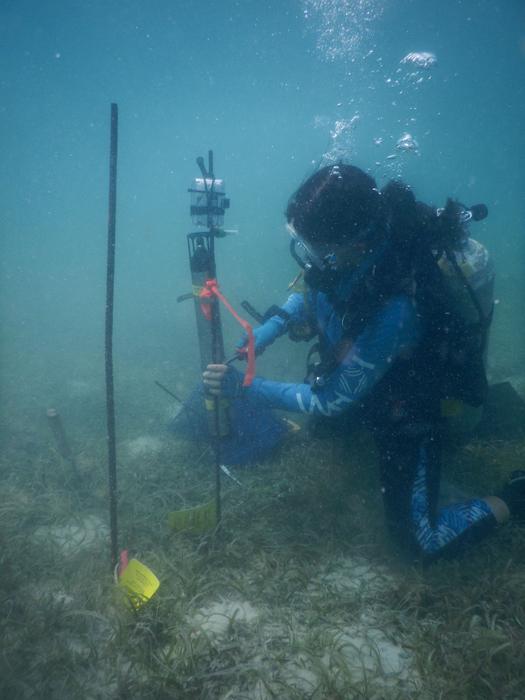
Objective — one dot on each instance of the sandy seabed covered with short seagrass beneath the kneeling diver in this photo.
(299, 595)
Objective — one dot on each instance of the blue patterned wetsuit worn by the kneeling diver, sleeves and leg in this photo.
(410, 447)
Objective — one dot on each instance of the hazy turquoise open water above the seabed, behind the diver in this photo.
(262, 83)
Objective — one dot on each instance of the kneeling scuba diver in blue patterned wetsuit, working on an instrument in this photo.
(382, 272)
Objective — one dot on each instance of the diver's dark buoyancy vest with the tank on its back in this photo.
(447, 370)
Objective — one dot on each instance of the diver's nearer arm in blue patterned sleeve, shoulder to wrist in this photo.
(393, 331)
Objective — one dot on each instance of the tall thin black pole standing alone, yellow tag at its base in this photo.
(110, 284)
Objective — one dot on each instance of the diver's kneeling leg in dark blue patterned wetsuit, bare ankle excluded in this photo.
(410, 473)
